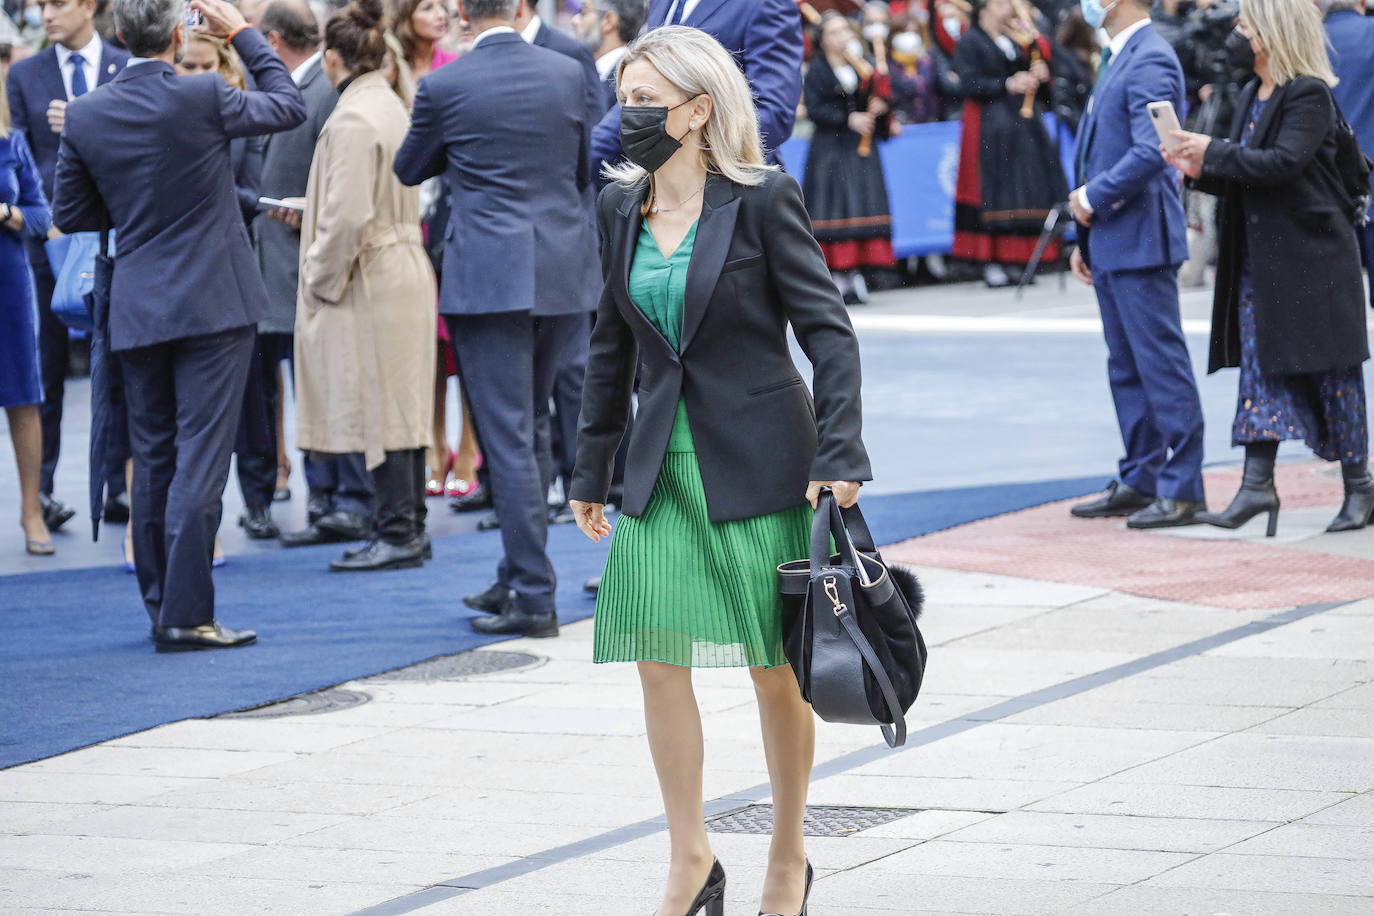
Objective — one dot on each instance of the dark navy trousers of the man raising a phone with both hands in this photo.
(183, 399)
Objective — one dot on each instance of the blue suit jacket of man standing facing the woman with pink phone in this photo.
(1138, 218)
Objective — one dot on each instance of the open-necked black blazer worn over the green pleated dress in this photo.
(761, 439)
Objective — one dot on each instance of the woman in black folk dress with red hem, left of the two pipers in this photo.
(846, 192)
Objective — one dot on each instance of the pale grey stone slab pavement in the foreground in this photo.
(1077, 751)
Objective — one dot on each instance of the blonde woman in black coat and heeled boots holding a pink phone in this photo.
(1289, 304)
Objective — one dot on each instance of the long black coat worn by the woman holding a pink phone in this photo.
(1281, 201)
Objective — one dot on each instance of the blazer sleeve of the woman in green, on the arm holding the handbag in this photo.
(818, 317)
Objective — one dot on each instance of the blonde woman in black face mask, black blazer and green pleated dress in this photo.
(710, 257)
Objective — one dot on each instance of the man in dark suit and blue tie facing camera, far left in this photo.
(39, 91)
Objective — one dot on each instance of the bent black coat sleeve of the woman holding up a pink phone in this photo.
(1306, 122)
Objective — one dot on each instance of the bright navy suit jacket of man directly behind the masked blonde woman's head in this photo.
(766, 39)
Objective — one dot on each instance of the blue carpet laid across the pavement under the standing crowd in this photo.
(76, 667)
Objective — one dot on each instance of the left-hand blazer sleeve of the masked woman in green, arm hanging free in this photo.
(611, 378)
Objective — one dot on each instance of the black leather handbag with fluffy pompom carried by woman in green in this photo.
(853, 638)
